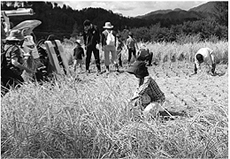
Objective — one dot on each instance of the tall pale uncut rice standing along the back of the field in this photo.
(163, 52)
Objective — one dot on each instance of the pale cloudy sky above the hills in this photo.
(132, 8)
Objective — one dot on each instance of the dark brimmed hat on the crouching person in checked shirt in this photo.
(139, 69)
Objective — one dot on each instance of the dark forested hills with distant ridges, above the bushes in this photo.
(65, 21)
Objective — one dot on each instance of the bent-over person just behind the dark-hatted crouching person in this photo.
(145, 55)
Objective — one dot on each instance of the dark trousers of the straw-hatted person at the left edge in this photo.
(10, 79)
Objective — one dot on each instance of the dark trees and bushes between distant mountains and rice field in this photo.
(66, 22)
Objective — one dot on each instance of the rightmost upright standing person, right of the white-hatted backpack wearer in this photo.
(132, 46)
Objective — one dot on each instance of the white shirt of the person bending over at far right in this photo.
(208, 56)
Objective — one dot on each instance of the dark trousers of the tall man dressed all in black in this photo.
(95, 51)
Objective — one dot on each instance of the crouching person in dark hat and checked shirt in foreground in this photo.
(148, 98)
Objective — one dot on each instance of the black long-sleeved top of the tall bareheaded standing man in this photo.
(92, 37)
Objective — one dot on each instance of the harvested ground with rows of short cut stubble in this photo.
(183, 91)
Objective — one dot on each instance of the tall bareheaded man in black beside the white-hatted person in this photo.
(91, 38)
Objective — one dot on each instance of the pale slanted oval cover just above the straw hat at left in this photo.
(27, 24)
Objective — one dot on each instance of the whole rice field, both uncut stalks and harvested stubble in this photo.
(88, 116)
